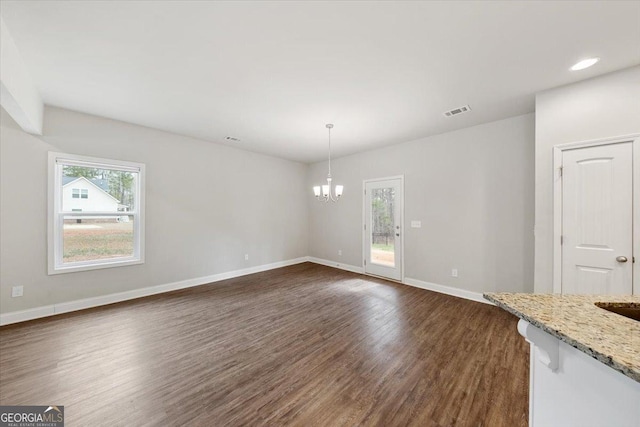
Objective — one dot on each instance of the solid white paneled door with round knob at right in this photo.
(597, 225)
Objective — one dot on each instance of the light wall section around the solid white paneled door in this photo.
(601, 107)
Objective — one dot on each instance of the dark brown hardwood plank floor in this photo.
(303, 345)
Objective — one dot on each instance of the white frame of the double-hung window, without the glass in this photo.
(56, 214)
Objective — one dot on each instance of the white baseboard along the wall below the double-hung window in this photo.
(65, 307)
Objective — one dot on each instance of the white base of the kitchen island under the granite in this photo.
(569, 388)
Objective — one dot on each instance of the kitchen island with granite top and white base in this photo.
(584, 359)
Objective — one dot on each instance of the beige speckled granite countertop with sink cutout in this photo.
(575, 319)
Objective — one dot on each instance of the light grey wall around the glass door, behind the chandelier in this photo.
(473, 191)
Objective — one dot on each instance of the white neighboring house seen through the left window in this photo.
(80, 194)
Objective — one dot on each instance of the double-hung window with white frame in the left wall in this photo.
(104, 230)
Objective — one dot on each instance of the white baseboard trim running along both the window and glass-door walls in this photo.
(66, 307)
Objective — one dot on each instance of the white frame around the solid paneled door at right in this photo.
(557, 203)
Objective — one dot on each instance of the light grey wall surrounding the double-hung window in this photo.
(206, 206)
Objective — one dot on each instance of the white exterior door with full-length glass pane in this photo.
(383, 228)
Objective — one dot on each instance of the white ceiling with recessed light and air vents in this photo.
(273, 73)
